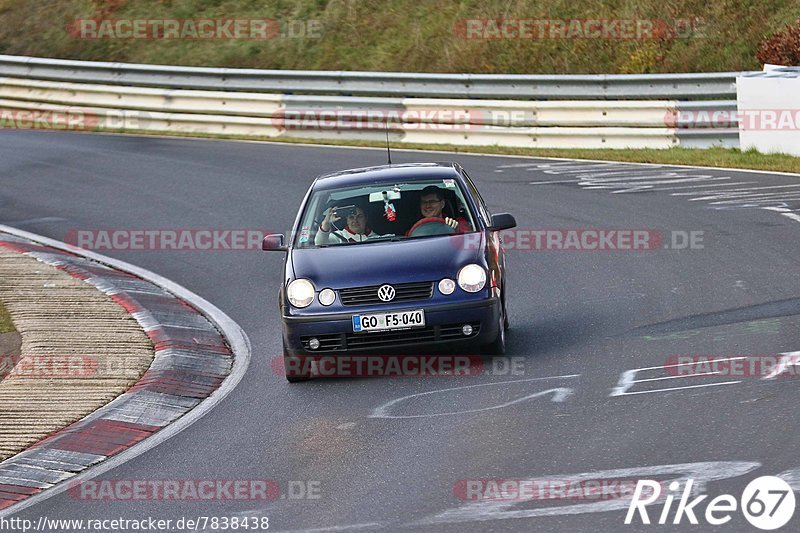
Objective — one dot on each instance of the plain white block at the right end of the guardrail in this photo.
(769, 114)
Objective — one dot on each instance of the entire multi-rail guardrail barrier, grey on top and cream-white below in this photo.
(160, 99)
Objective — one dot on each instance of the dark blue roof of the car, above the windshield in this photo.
(388, 173)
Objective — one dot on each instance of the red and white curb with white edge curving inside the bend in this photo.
(200, 356)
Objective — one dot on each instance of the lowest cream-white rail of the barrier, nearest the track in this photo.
(32, 115)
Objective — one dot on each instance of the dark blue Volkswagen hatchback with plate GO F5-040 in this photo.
(392, 258)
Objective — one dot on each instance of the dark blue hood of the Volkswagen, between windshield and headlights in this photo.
(357, 265)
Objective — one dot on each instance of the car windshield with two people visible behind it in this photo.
(381, 212)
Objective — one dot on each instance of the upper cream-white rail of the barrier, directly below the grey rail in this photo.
(510, 113)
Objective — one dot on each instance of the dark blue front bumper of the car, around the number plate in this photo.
(443, 323)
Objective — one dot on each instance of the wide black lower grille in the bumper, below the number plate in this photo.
(389, 339)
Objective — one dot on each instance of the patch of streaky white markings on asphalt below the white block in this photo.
(719, 192)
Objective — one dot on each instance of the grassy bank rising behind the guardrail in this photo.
(412, 35)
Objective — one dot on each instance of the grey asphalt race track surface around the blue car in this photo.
(583, 322)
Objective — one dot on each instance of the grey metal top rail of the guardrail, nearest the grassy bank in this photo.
(717, 85)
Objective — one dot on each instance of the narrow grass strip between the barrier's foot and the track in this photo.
(710, 157)
